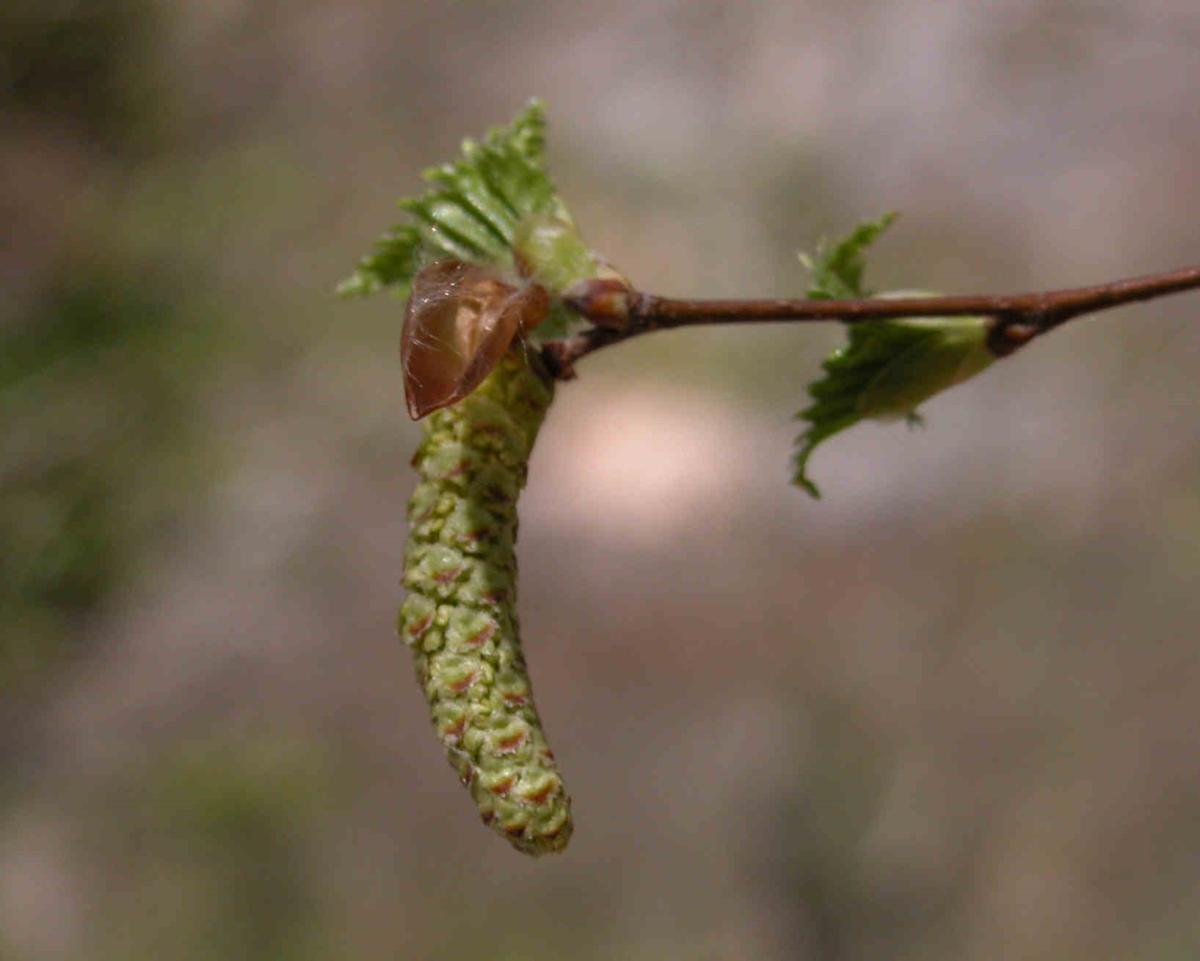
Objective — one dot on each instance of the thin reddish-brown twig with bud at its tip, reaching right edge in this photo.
(1017, 319)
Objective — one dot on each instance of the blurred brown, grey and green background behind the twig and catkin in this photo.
(949, 712)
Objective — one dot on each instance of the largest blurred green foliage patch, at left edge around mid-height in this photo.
(99, 380)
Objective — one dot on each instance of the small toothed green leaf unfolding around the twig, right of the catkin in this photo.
(889, 368)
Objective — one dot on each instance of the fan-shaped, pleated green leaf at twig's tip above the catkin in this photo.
(494, 205)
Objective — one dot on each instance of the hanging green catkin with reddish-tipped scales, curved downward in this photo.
(460, 614)
